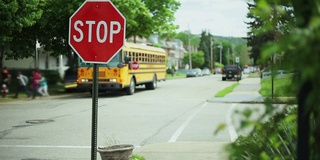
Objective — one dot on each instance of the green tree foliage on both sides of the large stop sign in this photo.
(25, 21)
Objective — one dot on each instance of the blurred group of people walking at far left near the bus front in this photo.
(38, 84)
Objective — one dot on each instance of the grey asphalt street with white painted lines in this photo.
(177, 111)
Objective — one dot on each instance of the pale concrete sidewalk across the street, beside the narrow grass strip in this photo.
(246, 92)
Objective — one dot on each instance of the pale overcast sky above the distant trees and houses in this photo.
(220, 17)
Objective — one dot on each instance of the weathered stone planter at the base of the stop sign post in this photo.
(116, 152)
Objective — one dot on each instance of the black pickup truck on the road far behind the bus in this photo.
(231, 72)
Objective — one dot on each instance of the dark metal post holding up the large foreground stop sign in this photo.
(94, 112)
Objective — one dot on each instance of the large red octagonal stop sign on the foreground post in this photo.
(97, 31)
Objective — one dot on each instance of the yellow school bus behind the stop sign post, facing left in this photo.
(133, 65)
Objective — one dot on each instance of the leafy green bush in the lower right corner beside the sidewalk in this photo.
(274, 139)
